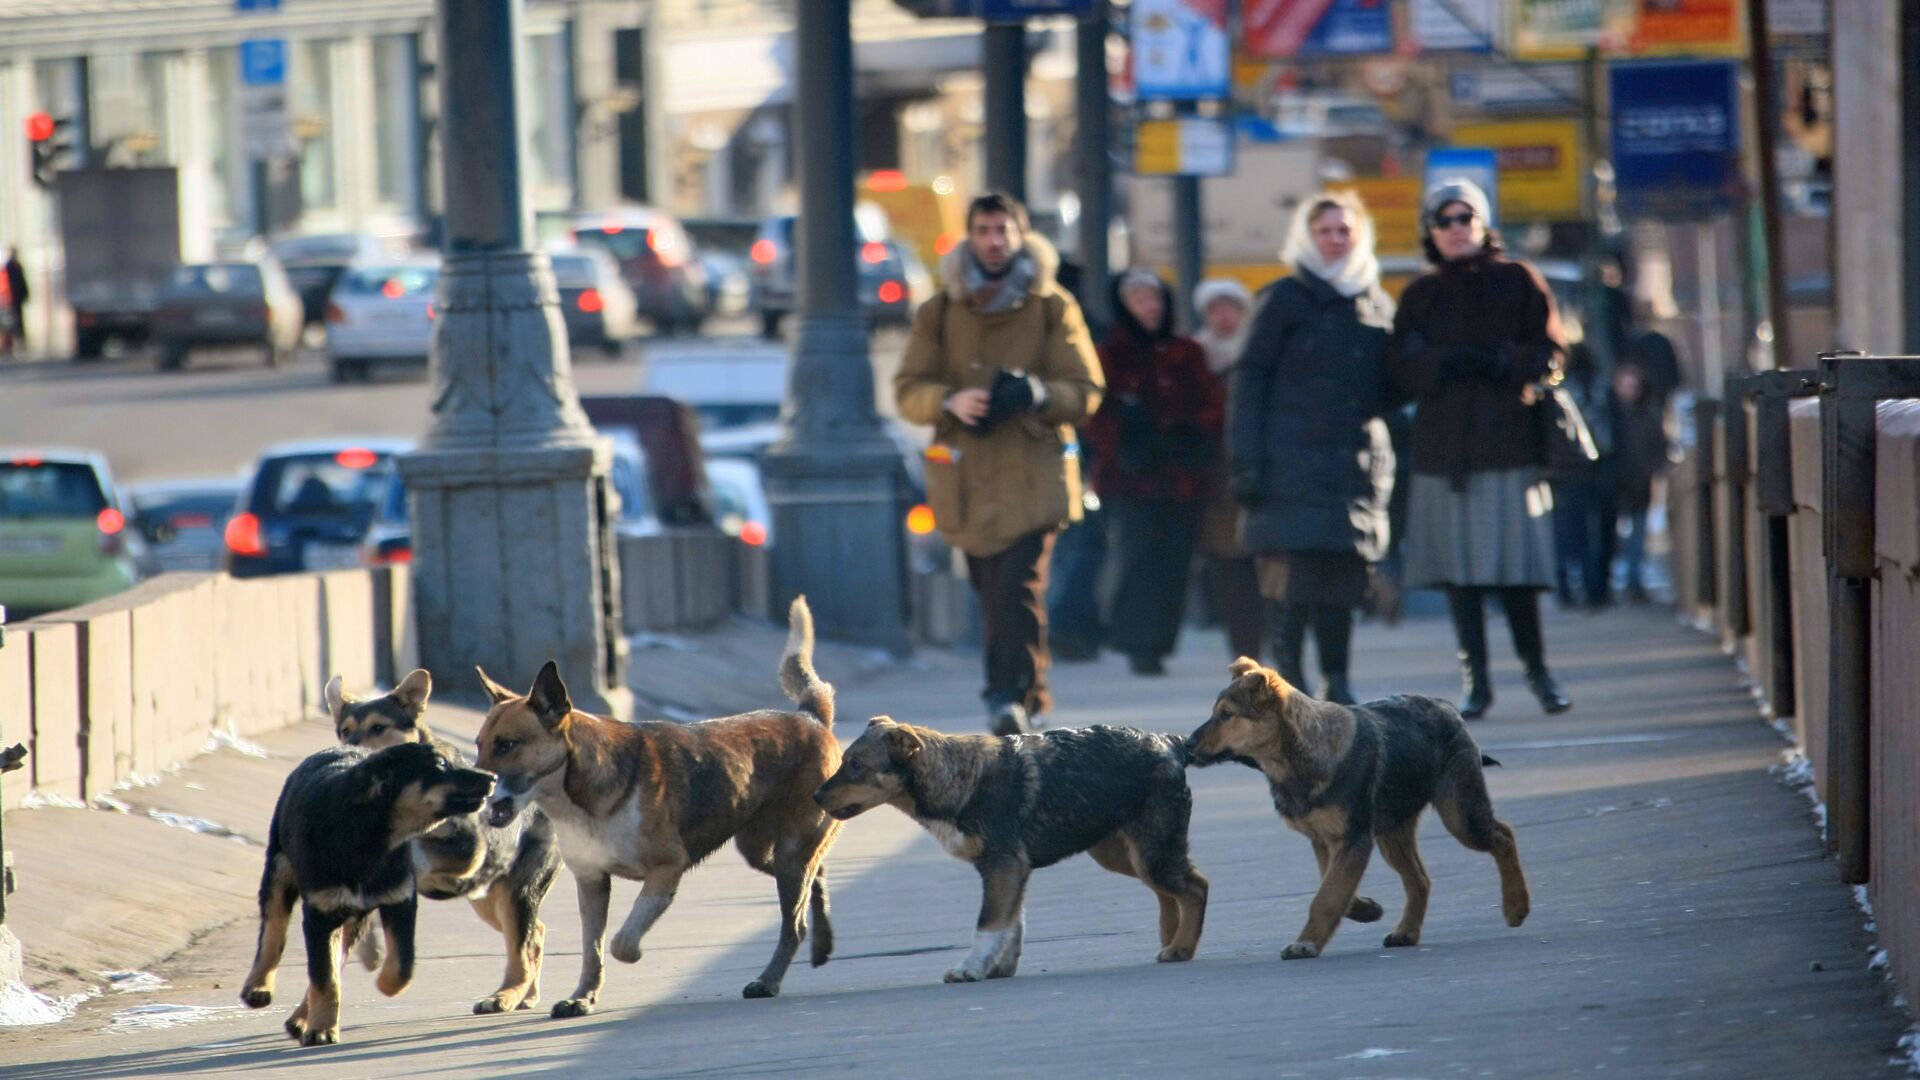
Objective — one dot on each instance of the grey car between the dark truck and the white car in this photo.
(228, 305)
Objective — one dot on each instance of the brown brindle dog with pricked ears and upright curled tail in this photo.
(650, 800)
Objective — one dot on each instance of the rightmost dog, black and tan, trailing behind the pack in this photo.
(1351, 779)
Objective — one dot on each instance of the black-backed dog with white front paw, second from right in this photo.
(1015, 804)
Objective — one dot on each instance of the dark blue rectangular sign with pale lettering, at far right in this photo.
(1677, 135)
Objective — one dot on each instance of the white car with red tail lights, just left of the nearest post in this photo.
(381, 314)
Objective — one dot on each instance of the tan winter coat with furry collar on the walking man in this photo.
(1022, 474)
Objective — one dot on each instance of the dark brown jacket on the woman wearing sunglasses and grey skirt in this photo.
(1470, 339)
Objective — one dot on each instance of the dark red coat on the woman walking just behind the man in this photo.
(1157, 437)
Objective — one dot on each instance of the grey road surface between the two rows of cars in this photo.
(218, 414)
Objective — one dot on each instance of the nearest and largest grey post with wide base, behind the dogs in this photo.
(516, 558)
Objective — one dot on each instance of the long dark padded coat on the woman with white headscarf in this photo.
(1307, 443)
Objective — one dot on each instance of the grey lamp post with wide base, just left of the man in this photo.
(834, 479)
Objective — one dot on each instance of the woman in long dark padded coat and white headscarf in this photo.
(1308, 454)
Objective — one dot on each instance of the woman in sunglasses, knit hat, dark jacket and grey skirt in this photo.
(1474, 341)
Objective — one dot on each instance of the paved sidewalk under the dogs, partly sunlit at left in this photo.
(1685, 923)
